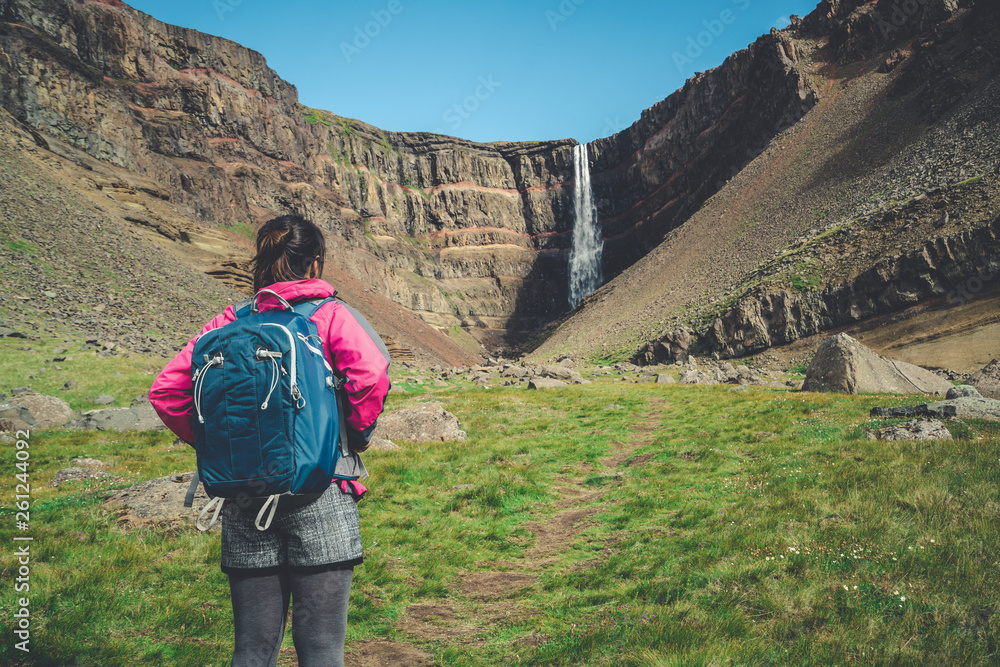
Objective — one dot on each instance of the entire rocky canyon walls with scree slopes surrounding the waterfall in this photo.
(715, 205)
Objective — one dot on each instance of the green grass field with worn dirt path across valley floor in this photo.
(608, 524)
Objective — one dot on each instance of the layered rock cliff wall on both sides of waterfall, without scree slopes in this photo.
(460, 233)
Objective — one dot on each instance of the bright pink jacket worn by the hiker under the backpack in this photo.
(347, 345)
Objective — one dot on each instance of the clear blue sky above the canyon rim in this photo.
(487, 70)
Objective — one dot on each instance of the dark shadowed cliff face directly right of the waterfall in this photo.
(652, 177)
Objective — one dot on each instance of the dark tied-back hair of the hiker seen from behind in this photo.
(287, 247)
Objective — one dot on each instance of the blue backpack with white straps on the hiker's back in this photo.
(268, 419)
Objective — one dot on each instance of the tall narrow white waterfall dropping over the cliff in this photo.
(585, 259)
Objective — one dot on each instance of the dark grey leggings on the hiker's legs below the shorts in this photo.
(319, 617)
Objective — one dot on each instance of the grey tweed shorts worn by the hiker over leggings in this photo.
(324, 533)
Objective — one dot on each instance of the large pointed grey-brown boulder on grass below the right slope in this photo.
(843, 365)
